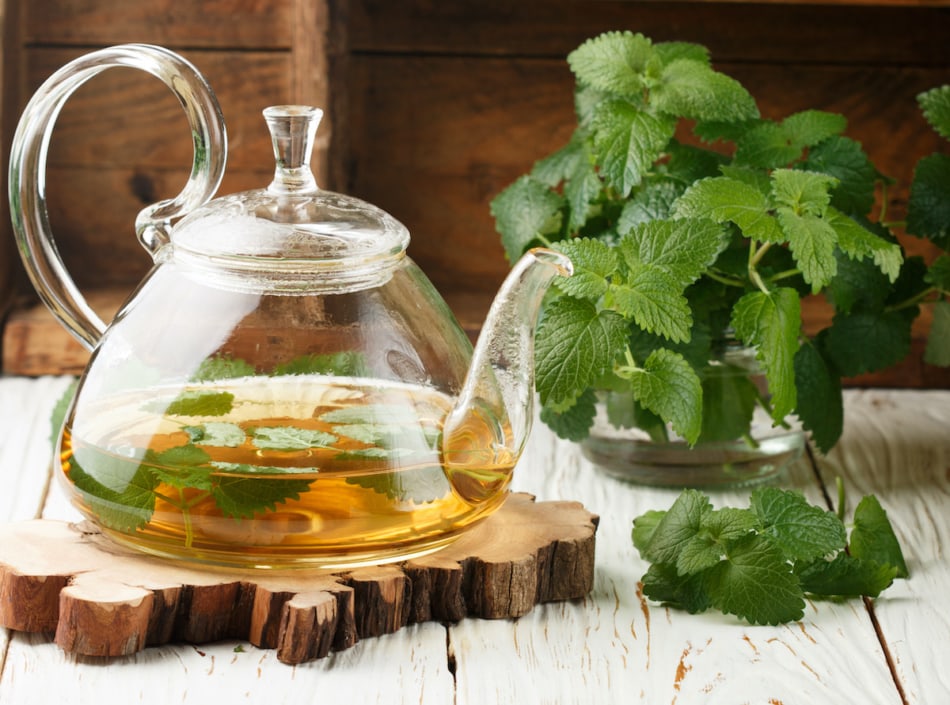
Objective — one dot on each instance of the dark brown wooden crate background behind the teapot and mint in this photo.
(434, 107)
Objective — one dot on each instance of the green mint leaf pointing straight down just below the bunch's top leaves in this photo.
(627, 141)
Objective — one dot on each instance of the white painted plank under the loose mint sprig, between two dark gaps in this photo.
(615, 647)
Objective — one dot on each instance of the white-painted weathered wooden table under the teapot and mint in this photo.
(612, 647)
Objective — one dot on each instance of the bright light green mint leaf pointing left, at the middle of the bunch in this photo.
(725, 199)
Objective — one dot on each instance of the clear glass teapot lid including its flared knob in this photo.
(292, 234)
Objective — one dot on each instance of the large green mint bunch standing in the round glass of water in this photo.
(678, 248)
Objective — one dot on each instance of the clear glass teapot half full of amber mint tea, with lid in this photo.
(286, 387)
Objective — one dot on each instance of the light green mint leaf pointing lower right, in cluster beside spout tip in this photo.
(655, 301)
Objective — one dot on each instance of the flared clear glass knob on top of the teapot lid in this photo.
(292, 129)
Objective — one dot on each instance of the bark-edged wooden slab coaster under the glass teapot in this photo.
(102, 600)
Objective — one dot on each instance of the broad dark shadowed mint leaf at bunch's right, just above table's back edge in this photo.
(867, 341)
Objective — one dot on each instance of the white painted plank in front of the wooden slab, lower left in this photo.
(411, 670)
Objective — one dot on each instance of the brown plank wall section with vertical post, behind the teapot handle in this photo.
(122, 141)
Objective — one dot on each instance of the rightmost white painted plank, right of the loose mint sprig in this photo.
(897, 446)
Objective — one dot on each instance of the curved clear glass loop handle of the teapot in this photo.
(27, 182)
